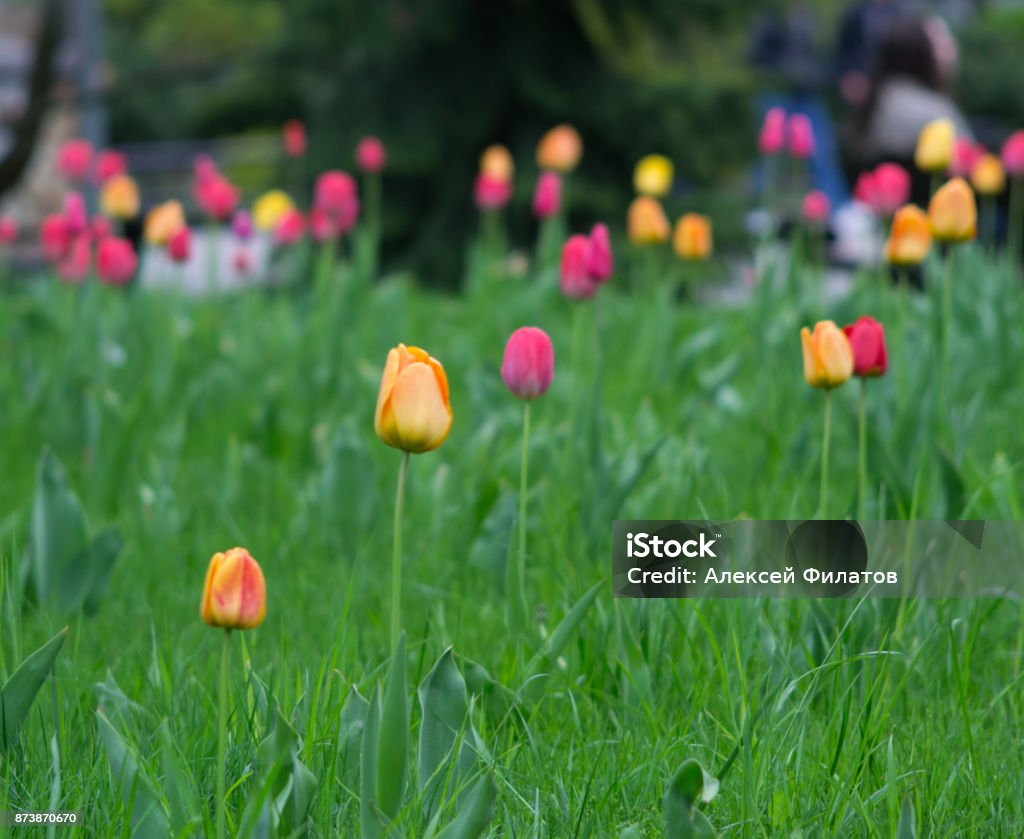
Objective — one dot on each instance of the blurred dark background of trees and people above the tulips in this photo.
(440, 80)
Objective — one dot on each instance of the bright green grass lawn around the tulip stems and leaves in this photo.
(197, 426)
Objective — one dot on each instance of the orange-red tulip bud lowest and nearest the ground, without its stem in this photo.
(235, 594)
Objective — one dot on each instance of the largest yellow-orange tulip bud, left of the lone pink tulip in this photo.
(413, 408)
